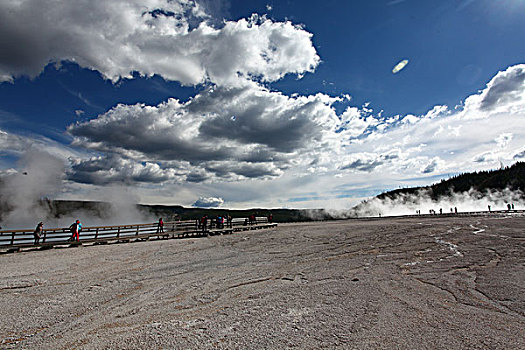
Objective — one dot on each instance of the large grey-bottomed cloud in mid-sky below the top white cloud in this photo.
(228, 133)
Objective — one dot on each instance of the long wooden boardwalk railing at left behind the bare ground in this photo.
(16, 239)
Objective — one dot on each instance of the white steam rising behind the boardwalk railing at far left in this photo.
(25, 197)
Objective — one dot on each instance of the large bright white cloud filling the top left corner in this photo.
(172, 39)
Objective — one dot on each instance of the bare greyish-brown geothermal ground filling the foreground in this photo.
(405, 283)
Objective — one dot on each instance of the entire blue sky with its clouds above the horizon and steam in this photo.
(189, 102)
